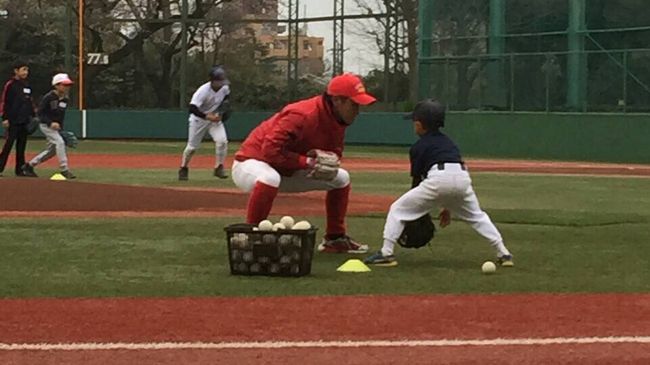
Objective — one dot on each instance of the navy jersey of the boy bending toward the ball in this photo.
(432, 148)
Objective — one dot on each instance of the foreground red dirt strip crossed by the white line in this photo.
(512, 329)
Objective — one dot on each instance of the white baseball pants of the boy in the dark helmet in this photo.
(450, 188)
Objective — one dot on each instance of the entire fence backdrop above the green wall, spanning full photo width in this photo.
(514, 55)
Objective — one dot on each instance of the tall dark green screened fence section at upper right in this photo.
(522, 55)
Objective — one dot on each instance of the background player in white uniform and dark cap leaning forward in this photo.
(208, 111)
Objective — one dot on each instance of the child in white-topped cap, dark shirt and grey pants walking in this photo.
(51, 111)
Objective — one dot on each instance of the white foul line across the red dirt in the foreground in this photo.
(318, 344)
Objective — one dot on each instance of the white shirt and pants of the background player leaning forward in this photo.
(207, 100)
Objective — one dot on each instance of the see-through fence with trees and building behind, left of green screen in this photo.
(153, 54)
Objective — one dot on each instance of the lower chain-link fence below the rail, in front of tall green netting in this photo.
(539, 82)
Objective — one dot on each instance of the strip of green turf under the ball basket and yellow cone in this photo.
(179, 257)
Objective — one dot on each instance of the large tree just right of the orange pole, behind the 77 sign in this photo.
(152, 42)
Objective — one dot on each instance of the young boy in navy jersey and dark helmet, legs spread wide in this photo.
(440, 180)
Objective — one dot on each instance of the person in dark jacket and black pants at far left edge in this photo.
(17, 110)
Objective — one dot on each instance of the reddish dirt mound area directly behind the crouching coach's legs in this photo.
(40, 197)
